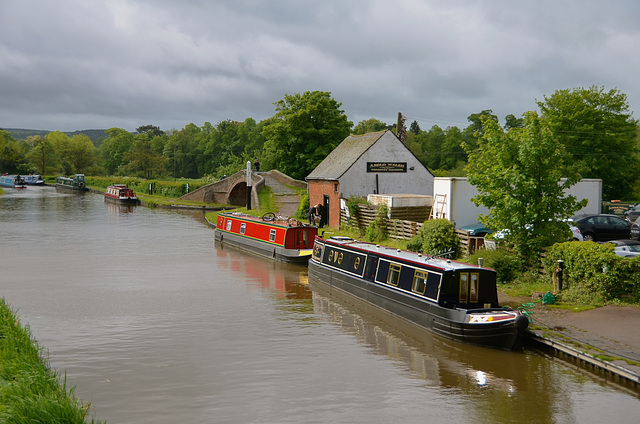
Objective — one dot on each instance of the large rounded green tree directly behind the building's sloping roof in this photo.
(304, 130)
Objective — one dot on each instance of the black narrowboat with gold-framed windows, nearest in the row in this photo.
(452, 299)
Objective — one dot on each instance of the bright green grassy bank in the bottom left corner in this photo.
(30, 391)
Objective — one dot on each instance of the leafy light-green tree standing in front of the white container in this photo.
(519, 180)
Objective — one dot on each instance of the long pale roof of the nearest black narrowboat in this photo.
(403, 255)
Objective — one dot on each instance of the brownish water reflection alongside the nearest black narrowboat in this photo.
(498, 385)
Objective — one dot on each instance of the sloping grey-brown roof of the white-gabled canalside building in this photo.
(344, 156)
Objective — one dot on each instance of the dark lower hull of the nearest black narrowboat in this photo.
(445, 322)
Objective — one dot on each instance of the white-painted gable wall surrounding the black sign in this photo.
(358, 182)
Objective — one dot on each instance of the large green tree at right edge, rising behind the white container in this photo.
(597, 130)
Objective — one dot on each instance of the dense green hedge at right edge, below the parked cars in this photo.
(593, 274)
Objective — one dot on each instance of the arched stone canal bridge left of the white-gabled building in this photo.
(233, 190)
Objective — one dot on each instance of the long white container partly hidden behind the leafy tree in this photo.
(459, 208)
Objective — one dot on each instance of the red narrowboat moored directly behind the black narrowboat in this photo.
(286, 240)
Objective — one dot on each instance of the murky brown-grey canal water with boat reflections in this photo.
(154, 323)
